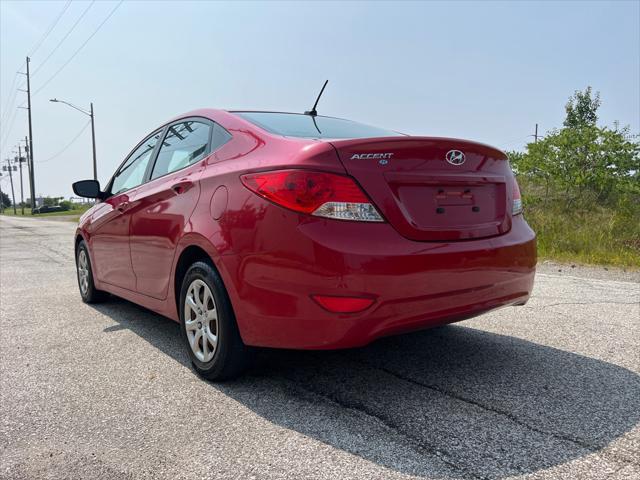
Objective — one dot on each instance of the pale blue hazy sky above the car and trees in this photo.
(487, 71)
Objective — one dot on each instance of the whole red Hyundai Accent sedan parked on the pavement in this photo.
(302, 231)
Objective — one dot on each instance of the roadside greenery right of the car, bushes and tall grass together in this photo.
(581, 188)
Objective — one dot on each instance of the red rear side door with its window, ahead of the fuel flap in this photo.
(162, 207)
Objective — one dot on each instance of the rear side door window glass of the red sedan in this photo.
(184, 144)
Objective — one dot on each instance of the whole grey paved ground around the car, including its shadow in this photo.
(548, 390)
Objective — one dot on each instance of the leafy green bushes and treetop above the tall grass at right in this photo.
(582, 163)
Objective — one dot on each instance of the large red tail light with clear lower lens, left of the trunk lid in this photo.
(315, 193)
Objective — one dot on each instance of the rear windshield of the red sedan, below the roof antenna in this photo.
(304, 126)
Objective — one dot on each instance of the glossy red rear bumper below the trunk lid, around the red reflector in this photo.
(416, 285)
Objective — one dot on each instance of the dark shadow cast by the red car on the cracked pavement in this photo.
(449, 402)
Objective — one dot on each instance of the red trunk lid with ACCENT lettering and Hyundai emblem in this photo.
(436, 189)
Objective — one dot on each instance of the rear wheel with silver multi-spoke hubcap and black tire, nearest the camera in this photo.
(209, 326)
